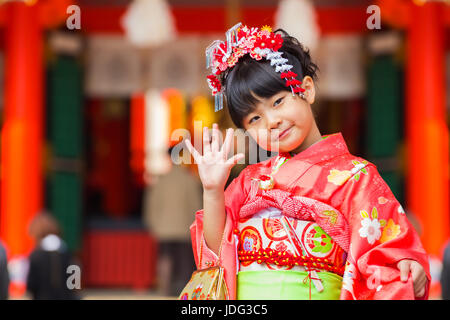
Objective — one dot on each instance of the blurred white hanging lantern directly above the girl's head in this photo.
(298, 18)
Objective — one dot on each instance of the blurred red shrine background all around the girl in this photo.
(92, 93)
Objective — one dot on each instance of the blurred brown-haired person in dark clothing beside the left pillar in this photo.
(47, 275)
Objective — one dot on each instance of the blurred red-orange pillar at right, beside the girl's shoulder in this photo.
(427, 132)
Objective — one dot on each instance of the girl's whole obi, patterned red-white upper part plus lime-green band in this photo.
(268, 256)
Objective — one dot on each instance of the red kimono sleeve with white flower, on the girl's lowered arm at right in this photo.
(381, 236)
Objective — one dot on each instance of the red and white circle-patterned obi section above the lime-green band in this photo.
(264, 245)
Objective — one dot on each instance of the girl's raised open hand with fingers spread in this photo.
(213, 166)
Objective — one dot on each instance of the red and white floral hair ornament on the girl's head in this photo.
(242, 40)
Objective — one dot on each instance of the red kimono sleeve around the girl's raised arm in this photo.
(235, 195)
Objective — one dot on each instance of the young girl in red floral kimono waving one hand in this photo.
(315, 222)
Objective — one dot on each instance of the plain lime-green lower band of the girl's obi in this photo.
(286, 285)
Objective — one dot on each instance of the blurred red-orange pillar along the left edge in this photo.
(21, 164)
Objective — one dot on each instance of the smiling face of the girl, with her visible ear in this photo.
(284, 122)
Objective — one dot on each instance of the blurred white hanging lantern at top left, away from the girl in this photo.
(149, 23)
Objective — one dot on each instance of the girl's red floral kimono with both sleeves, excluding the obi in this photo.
(349, 200)
